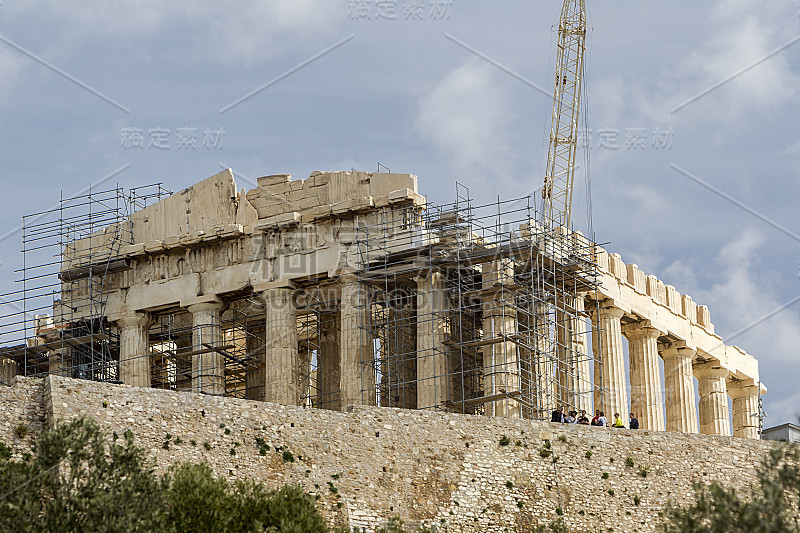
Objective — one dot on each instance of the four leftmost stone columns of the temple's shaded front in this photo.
(343, 343)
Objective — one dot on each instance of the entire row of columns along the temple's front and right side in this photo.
(343, 379)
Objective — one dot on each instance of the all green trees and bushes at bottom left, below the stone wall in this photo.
(79, 481)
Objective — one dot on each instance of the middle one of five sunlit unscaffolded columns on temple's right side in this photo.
(679, 394)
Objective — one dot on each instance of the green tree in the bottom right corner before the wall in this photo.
(769, 506)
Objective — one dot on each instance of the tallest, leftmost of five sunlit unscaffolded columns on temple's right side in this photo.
(609, 362)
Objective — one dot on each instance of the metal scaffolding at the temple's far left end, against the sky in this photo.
(56, 321)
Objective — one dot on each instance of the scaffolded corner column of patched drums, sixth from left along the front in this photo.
(500, 358)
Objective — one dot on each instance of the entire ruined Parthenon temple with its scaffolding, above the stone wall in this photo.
(350, 288)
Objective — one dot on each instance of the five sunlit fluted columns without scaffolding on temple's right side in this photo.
(678, 402)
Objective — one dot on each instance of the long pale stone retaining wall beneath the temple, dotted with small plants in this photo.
(460, 472)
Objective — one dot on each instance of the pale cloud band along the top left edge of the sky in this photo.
(225, 31)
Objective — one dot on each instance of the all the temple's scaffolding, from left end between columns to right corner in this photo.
(475, 309)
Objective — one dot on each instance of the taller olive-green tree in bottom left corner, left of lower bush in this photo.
(77, 481)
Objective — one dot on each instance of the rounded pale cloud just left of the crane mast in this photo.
(465, 116)
